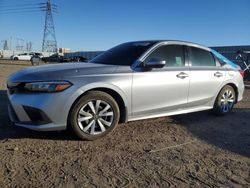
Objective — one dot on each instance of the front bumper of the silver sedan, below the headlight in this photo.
(39, 111)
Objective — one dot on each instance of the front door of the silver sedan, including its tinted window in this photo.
(161, 90)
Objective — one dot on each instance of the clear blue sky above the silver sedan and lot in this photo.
(101, 24)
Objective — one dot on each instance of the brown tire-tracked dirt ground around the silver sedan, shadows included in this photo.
(191, 150)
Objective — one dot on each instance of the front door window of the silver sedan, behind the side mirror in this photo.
(172, 54)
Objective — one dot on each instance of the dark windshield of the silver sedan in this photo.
(124, 54)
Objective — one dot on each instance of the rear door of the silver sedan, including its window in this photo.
(206, 77)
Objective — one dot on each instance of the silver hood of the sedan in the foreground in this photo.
(60, 71)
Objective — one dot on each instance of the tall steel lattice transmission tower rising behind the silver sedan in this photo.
(49, 36)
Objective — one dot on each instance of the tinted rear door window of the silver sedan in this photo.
(200, 57)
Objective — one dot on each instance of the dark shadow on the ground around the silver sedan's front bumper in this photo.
(10, 131)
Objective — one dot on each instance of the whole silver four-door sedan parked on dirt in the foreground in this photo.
(132, 81)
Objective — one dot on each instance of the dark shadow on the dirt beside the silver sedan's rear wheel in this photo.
(230, 132)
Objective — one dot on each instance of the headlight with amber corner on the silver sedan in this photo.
(53, 86)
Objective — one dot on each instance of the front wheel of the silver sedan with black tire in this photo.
(82, 106)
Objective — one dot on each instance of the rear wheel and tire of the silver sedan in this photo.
(227, 94)
